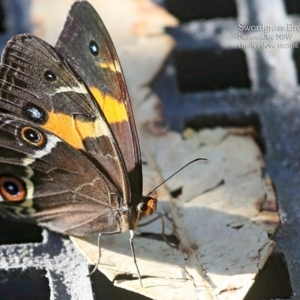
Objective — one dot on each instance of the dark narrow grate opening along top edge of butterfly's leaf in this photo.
(250, 121)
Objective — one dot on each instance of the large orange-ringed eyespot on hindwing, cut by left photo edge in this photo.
(12, 189)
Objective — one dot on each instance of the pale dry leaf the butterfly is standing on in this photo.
(224, 241)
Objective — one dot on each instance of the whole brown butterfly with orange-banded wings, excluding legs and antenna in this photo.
(69, 152)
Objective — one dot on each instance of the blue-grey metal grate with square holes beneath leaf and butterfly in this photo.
(251, 87)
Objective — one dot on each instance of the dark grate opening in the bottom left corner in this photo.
(24, 284)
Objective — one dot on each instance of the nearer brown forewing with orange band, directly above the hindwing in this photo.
(40, 86)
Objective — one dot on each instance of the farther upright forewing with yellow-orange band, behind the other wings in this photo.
(104, 77)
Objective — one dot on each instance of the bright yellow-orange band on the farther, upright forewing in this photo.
(114, 110)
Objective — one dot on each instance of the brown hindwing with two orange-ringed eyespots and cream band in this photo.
(59, 193)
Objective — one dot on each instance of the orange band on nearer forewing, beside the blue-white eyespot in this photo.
(72, 131)
